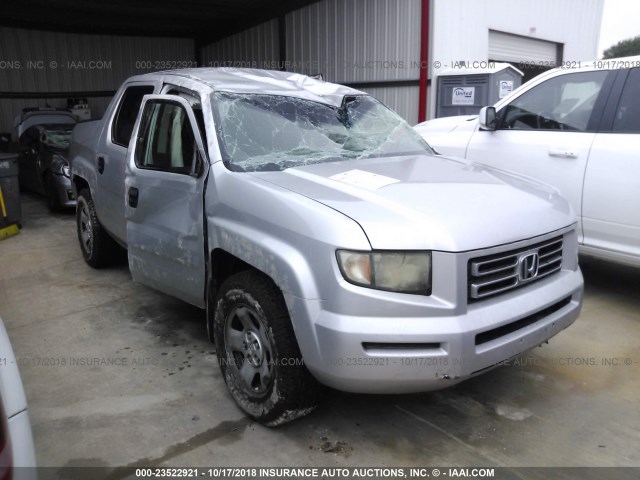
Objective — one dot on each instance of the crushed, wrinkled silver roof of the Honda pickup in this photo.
(256, 81)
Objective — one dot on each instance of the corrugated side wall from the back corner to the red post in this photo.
(360, 42)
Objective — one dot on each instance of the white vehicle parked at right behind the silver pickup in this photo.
(577, 129)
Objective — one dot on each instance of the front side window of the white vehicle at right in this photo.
(562, 103)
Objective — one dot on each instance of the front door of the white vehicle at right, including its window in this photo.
(547, 132)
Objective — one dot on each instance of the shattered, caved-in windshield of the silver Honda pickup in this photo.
(271, 132)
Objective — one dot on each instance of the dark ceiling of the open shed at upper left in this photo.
(203, 20)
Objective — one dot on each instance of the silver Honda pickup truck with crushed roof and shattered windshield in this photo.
(326, 240)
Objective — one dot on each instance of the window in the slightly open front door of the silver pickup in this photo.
(166, 141)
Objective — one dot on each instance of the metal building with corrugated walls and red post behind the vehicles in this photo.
(393, 49)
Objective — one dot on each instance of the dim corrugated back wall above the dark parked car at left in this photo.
(33, 62)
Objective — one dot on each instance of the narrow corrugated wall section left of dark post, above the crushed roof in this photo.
(257, 47)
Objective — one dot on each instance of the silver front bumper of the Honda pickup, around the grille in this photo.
(366, 341)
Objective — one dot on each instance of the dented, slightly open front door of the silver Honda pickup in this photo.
(164, 187)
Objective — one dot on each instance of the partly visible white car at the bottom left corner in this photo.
(16, 441)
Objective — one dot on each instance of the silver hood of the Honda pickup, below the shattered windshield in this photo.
(430, 202)
